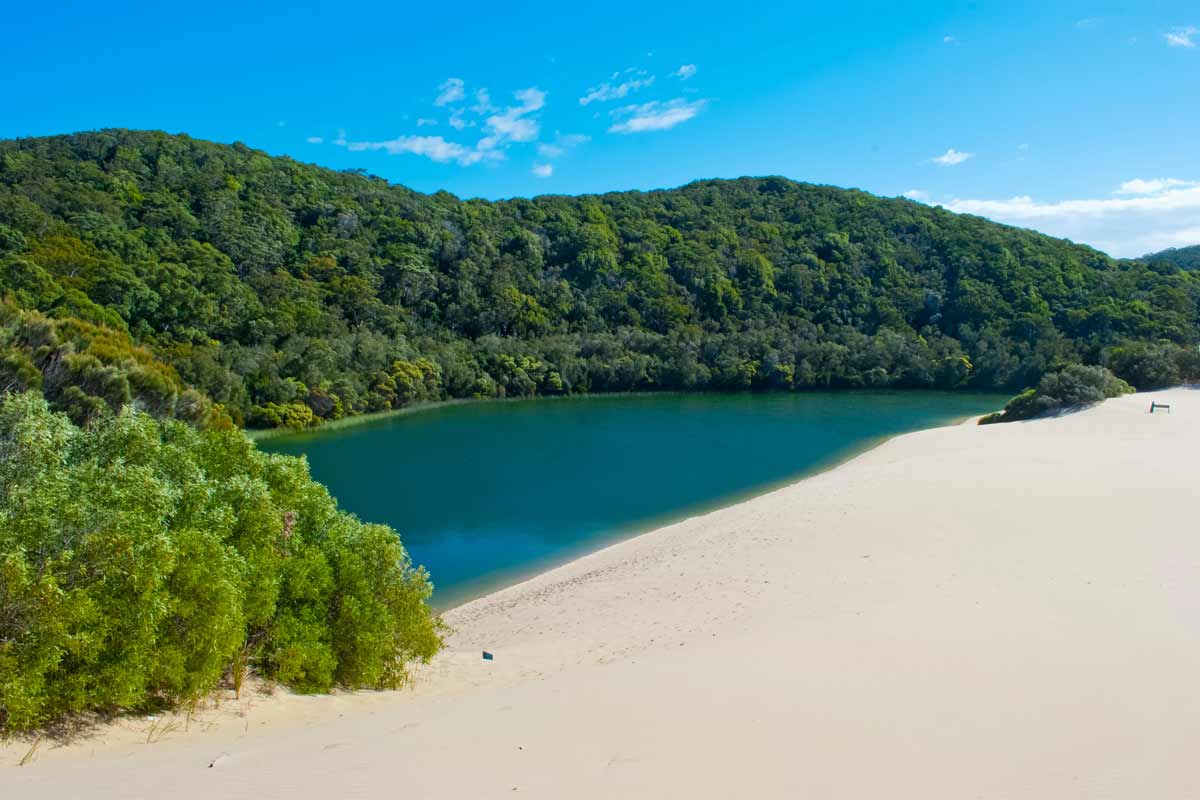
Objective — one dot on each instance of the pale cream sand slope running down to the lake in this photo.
(1000, 612)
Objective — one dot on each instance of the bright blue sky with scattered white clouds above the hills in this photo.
(1075, 118)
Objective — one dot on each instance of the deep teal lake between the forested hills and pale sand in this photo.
(488, 494)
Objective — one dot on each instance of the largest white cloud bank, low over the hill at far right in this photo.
(1163, 216)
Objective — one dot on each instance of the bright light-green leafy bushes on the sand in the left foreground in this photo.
(143, 562)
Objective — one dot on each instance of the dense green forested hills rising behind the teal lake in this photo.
(136, 266)
